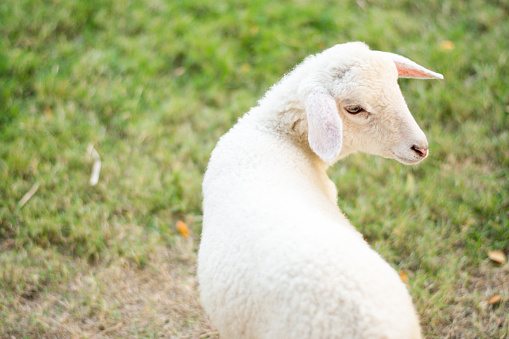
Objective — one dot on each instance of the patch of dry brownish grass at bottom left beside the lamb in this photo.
(120, 301)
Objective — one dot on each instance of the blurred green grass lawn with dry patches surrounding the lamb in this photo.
(153, 84)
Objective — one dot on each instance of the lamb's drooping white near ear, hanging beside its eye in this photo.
(325, 129)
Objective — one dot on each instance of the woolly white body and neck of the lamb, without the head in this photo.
(277, 257)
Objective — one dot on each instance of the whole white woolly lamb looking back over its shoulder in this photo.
(277, 258)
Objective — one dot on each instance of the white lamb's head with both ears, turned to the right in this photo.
(353, 103)
